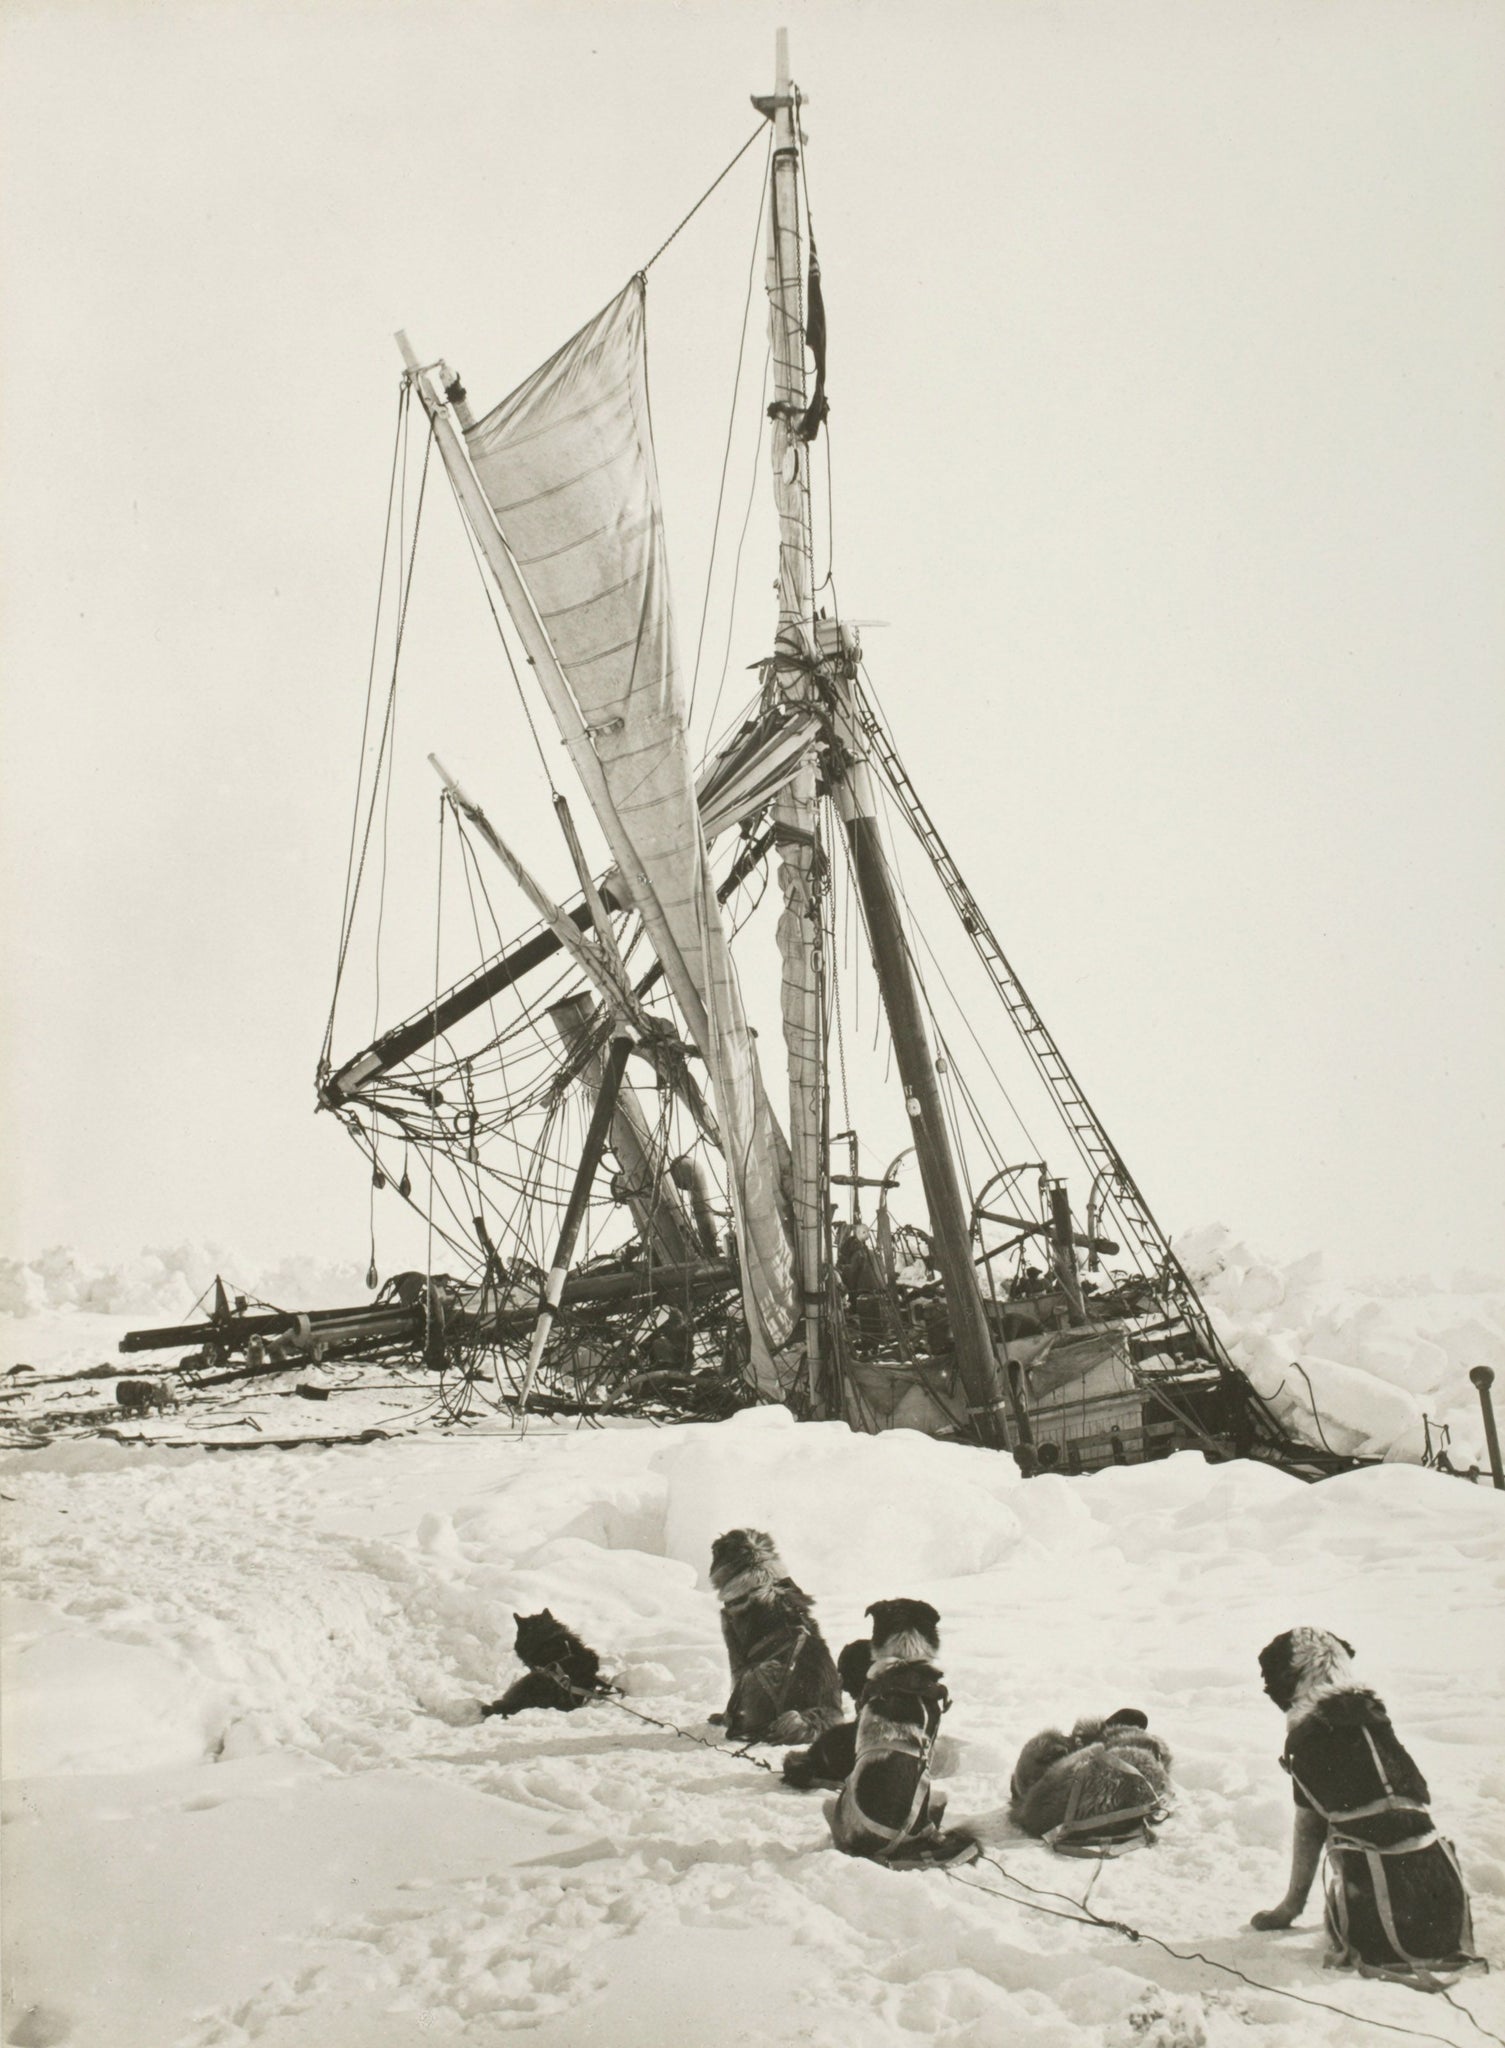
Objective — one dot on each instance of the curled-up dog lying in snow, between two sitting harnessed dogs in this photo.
(1096, 1791)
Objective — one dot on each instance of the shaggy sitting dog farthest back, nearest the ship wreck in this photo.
(783, 1680)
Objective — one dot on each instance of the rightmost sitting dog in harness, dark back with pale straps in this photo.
(1395, 1897)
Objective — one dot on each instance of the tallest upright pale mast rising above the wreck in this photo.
(795, 810)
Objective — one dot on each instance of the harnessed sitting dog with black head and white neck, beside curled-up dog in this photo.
(888, 1807)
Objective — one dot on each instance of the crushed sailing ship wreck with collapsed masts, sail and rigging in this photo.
(623, 1209)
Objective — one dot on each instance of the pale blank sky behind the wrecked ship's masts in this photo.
(1168, 437)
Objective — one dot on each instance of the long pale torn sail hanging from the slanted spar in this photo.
(568, 470)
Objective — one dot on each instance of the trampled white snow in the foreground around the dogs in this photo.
(251, 1799)
